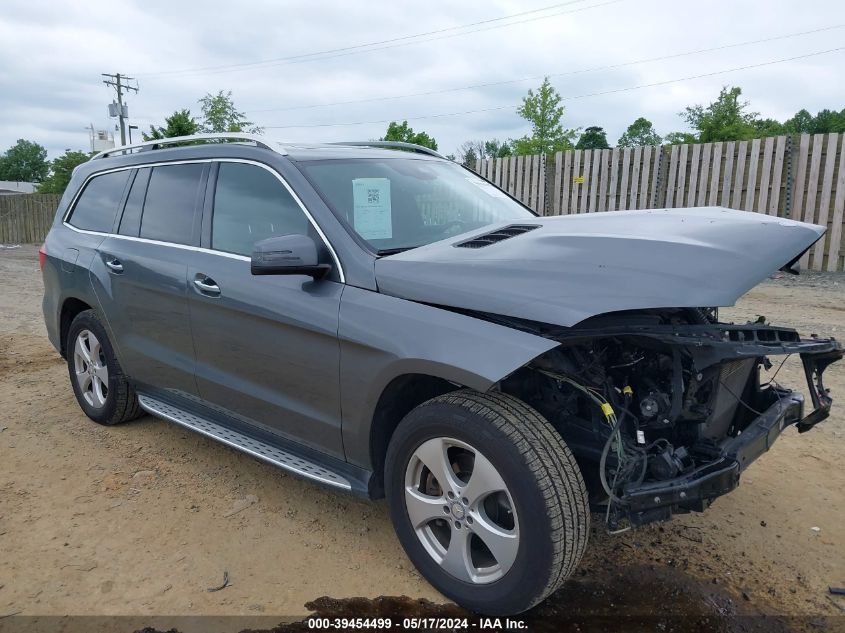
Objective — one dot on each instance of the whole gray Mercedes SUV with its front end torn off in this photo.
(388, 323)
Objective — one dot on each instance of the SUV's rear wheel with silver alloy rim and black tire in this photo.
(101, 389)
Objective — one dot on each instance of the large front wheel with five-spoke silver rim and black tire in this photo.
(537, 544)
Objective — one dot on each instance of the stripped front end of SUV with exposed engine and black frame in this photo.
(664, 409)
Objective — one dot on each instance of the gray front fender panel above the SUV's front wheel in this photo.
(383, 337)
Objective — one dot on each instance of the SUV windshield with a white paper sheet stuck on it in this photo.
(400, 203)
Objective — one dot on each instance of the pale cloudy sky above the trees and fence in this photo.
(314, 71)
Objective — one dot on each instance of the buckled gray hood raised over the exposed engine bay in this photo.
(577, 266)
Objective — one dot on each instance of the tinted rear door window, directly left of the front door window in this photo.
(170, 207)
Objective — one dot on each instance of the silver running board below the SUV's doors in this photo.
(261, 450)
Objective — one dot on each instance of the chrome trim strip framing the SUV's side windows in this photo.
(199, 249)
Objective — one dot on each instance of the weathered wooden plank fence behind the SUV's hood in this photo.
(798, 177)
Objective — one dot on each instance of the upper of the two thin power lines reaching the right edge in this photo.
(563, 74)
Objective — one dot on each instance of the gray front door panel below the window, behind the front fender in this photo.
(267, 350)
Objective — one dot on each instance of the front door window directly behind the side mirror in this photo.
(251, 204)
